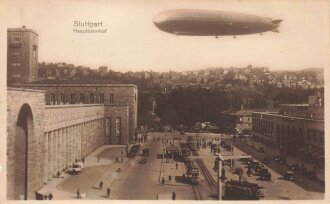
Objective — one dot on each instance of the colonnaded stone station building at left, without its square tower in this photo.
(45, 139)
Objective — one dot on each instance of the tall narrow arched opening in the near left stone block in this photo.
(24, 131)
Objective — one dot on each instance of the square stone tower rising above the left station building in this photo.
(22, 57)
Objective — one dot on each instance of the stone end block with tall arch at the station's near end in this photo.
(29, 104)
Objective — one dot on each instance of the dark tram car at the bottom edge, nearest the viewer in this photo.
(238, 190)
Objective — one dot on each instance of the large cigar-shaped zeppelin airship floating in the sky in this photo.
(213, 23)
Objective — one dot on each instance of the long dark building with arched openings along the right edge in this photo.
(295, 128)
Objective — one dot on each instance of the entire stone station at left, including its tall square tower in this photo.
(51, 125)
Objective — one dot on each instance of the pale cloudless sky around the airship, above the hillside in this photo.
(133, 43)
